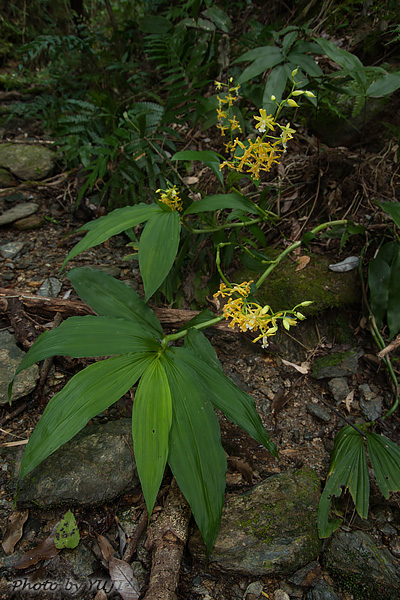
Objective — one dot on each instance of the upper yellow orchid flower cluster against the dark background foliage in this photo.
(255, 155)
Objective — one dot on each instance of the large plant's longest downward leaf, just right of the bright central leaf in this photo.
(196, 456)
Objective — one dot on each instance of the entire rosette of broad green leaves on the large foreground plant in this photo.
(173, 416)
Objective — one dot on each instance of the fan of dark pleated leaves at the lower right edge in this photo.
(349, 469)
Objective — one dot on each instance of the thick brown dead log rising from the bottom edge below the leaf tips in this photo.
(166, 539)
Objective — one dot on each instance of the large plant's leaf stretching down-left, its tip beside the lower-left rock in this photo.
(87, 394)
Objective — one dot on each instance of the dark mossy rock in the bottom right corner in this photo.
(366, 569)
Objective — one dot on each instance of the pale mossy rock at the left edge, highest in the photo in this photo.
(27, 161)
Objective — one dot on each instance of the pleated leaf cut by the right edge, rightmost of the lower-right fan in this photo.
(385, 460)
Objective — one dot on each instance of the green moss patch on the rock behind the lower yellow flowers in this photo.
(286, 287)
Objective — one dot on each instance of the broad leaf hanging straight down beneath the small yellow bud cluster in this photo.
(158, 248)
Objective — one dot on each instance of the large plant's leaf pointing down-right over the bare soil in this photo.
(238, 406)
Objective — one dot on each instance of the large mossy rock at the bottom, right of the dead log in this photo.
(269, 529)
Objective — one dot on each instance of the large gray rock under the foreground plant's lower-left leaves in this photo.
(97, 465)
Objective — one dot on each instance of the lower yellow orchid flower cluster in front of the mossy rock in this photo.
(248, 315)
